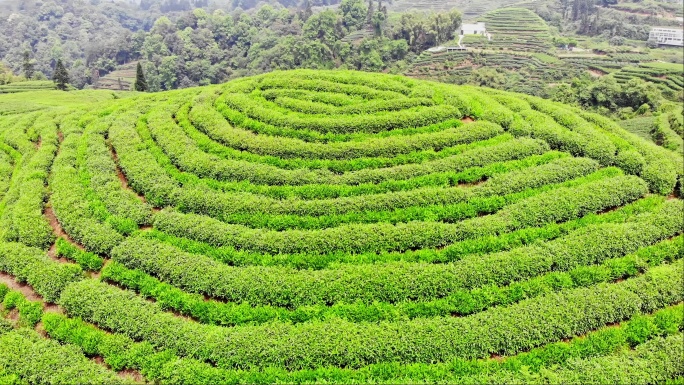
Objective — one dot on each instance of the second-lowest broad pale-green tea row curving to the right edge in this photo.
(393, 282)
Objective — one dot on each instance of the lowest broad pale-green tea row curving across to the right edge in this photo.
(318, 344)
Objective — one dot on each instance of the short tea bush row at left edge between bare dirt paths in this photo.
(47, 277)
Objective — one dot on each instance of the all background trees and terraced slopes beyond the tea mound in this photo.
(592, 54)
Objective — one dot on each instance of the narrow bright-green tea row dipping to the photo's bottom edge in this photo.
(121, 352)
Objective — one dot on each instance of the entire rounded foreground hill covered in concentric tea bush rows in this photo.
(334, 227)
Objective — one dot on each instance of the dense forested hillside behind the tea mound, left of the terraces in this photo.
(202, 47)
